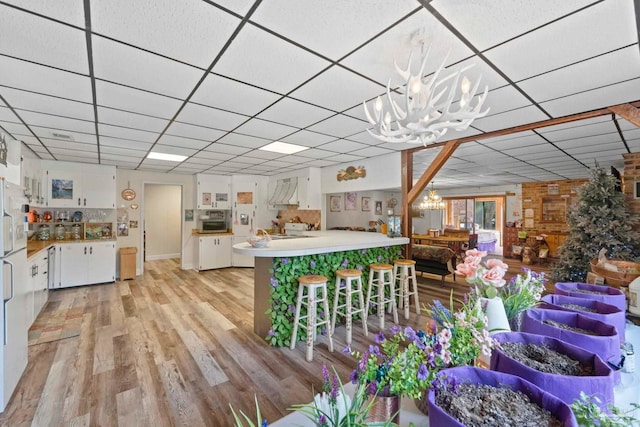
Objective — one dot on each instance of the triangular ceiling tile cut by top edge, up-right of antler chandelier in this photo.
(516, 17)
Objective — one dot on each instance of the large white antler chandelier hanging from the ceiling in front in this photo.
(422, 117)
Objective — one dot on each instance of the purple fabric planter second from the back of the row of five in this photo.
(606, 313)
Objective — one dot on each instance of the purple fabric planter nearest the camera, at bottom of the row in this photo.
(470, 375)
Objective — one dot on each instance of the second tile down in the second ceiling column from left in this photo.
(114, 61)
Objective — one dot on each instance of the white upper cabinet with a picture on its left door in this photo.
(76, 185)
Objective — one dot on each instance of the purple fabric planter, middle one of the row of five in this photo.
(606, 344)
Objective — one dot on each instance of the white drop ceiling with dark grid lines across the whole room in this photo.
(218, 79)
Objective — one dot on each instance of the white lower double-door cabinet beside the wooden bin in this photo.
(86, 263)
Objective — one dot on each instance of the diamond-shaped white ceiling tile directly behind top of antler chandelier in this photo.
(376, 58)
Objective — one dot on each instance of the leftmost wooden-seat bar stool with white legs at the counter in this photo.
(311, 284)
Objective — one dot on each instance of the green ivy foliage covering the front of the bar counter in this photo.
(284, 283)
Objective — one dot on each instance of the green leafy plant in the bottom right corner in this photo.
(588, 414)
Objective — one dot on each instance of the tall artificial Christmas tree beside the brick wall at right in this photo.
(599, 220)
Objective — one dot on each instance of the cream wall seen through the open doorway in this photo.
(162, 221)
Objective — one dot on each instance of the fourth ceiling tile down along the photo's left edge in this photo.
(47, 104)
